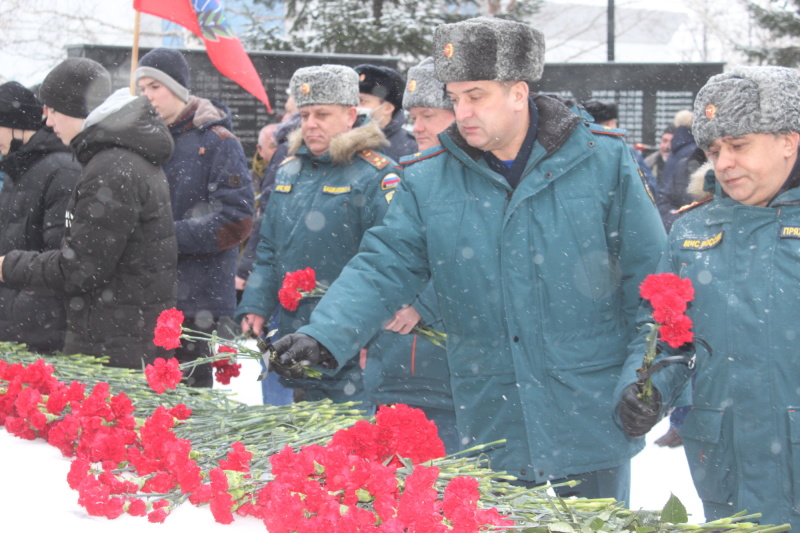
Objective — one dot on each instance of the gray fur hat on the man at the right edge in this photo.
(747, 100)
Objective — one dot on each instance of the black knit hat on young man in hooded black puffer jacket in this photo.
(75, 87)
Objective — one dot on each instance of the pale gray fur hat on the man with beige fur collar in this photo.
(325, 85)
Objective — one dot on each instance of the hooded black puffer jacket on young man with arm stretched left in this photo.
(117, 264)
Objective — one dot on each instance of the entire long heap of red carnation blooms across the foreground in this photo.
(369, 478)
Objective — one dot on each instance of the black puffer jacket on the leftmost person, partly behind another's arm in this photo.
(41, 175)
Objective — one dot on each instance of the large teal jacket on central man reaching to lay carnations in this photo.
(538, 289)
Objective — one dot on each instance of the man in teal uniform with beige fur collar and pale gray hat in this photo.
(331, 189)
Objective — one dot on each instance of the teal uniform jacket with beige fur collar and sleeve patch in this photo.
(317, 214)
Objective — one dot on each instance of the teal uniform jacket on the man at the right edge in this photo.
(742, 437)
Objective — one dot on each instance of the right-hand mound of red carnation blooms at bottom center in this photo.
(325, 488)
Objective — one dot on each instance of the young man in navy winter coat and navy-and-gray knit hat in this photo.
(212, 200)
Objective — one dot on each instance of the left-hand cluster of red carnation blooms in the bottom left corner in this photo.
(101, 433)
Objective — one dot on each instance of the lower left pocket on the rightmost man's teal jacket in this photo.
(710, 456)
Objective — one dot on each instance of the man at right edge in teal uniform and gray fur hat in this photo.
(741, 249)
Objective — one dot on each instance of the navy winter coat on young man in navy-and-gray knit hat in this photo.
(212, 204)
